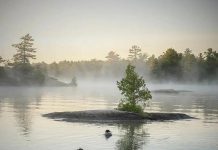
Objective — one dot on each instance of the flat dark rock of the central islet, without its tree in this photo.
(113, 116)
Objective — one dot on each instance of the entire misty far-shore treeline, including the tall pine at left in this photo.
(170, 66)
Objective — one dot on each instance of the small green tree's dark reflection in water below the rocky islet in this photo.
(133, 138)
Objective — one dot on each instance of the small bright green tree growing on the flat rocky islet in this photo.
(134, 90)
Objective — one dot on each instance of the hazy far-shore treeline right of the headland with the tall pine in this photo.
(170, 66)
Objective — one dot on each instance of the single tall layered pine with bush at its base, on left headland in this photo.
(23, 72)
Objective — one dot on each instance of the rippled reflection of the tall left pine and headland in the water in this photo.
(23, 102)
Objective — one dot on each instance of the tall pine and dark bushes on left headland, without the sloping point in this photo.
(20, 71)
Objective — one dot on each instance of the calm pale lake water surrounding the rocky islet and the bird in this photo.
(22, 126)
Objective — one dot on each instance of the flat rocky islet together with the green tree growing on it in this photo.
(134, 91)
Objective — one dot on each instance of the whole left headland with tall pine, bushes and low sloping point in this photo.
(20, 72)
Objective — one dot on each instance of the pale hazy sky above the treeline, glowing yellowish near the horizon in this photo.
(85, 29)
